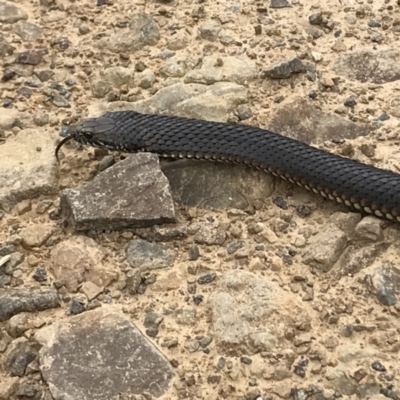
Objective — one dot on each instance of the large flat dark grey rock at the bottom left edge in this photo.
(98, 355)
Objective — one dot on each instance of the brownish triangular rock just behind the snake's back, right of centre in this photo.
(302, 121)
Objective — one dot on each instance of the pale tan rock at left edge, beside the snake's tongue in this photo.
(29, 153)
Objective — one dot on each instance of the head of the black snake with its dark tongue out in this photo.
(93, 131)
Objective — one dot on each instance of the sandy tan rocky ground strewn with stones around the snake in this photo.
(230, 285)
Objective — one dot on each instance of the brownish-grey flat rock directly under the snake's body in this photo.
(207, 184)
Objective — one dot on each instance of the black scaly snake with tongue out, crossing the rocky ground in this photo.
(361, 187)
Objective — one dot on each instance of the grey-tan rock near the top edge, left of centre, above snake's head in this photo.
(142, 31)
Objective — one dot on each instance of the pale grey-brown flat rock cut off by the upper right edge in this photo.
(369, 65)
